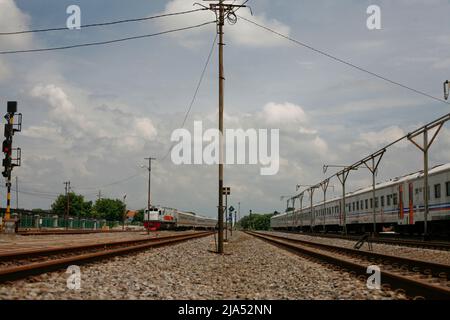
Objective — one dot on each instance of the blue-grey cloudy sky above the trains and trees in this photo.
(91, 115)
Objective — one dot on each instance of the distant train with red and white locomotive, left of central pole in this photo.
(174, 219)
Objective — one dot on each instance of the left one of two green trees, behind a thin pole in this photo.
(77, 205)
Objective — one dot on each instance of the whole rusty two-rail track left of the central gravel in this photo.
(21, 264)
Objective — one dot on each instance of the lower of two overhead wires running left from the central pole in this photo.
(105, 42)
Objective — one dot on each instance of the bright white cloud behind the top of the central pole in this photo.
(243, 33)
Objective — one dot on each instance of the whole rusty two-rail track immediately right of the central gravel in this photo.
(417, 278)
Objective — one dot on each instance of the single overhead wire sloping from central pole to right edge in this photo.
(343, 61)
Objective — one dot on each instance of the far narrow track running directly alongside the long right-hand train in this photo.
(426, 244)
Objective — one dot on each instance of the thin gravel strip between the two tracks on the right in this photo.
(438, 256)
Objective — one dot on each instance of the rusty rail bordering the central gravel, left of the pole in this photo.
(19, 272)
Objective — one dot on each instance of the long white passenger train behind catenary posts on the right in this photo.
(399, 206)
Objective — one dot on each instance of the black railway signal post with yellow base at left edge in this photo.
(9, 162)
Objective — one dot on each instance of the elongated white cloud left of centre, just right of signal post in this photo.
(86, 124)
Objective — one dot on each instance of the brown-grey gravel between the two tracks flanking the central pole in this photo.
(251, 269)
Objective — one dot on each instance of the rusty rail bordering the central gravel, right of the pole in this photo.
(411, 285)
